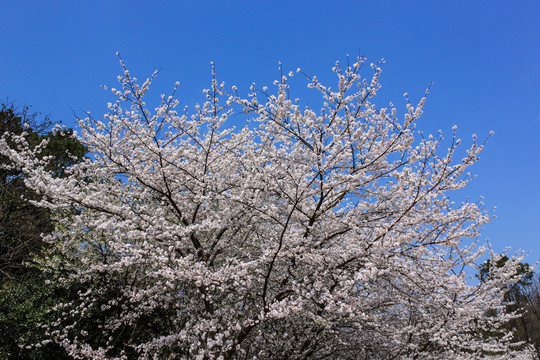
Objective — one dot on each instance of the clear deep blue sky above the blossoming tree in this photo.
(482, 56)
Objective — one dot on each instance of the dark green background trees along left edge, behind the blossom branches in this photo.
(24, 297)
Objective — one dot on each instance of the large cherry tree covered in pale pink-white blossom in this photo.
(304, 233)
